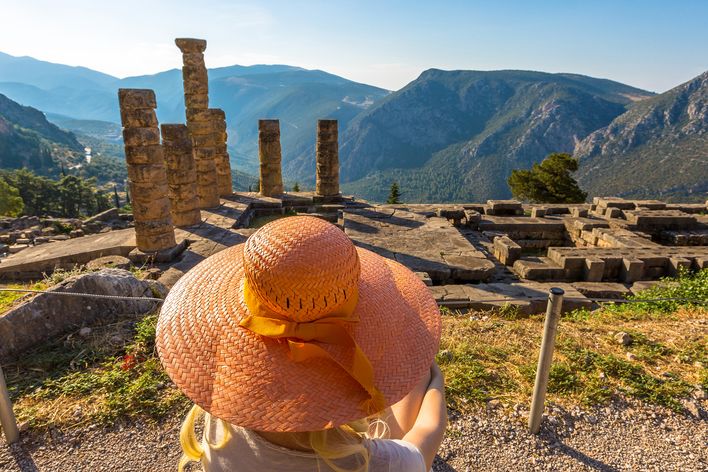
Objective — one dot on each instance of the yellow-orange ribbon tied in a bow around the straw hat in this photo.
(329, 330)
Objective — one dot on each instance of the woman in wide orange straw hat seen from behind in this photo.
(295, 343)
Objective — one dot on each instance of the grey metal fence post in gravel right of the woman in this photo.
(555, 302)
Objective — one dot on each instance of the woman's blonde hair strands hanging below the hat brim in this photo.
(330, 444)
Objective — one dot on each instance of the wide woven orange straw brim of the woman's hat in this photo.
(250, 381)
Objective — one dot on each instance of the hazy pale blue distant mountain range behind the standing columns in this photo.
(296, 96)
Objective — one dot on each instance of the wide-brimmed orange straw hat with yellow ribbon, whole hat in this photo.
(297, 330)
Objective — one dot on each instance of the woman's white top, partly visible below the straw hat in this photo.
(247, 451)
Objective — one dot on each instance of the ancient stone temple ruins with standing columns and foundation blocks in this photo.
(482, 255)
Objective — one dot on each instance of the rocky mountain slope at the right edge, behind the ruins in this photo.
(657, 149)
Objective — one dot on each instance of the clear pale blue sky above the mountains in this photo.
(650, 44)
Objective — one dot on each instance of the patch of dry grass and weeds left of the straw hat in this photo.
(111, 373)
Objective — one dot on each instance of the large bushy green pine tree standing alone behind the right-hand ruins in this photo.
(548, 182)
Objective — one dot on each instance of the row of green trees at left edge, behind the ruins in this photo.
(22, 192)
